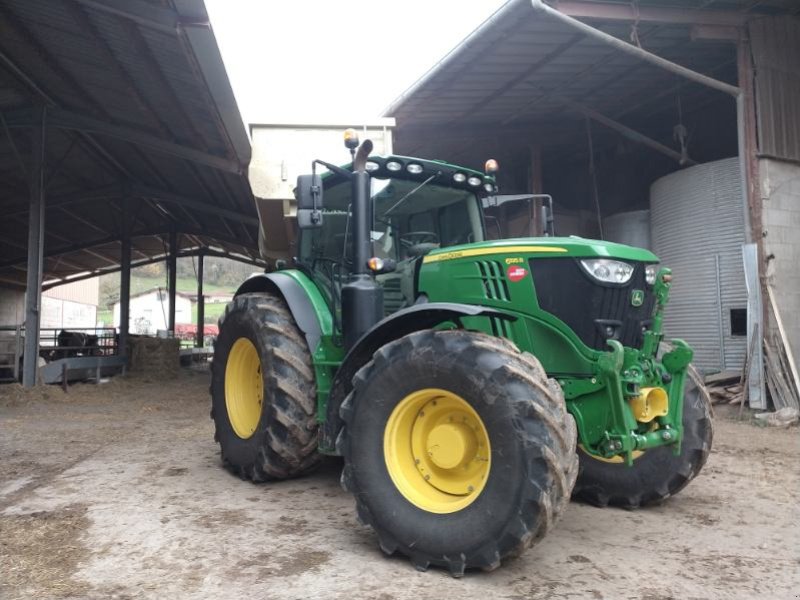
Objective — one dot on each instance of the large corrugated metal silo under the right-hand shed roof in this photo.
(698, 228)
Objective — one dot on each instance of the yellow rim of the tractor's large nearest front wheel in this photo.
(437, 451)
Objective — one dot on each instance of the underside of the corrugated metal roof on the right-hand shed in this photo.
(514, 77)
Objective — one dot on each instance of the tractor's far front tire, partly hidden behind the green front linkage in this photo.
(657, 473)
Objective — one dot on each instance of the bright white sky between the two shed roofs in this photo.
(317, 60)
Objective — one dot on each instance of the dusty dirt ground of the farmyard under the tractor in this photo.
(116, 491)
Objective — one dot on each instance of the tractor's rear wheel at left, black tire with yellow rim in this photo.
(263, 395)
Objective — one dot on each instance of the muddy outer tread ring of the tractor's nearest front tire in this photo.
(546, 406)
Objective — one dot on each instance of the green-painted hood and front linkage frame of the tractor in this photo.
(598, 385)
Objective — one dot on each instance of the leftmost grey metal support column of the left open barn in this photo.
(33, 291)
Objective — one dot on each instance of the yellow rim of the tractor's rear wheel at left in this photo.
(244, 388)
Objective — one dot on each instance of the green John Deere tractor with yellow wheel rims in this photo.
(471, 386)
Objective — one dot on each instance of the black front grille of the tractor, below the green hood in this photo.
(589, 307)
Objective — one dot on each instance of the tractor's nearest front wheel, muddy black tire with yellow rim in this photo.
(483, 476)
